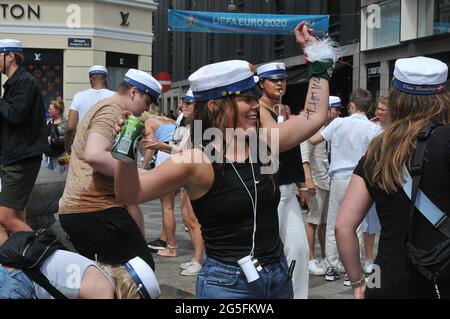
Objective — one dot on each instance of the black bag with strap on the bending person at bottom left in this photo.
(27, 251)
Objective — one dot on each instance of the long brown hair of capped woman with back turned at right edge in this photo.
(389, 153)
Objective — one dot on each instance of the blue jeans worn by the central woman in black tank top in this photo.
(217, 280)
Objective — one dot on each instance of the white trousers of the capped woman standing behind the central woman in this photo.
(293, 235)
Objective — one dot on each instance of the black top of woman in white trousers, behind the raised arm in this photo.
(291, 164)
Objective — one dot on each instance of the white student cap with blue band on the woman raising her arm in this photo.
(217, 80)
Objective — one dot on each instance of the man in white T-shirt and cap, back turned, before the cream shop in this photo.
(84, 100)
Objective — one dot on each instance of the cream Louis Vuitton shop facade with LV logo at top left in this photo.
(62, 39)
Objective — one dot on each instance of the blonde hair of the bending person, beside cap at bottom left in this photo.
(125, 287)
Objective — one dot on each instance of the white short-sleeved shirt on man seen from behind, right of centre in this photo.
(349, 138)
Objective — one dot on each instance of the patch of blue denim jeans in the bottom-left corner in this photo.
(15, 285)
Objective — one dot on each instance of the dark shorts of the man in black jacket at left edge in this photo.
(17, 181)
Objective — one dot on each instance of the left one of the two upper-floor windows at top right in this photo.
(387, 31)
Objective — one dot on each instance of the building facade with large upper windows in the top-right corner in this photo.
(396, 29)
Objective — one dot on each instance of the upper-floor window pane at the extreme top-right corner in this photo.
(434, 17)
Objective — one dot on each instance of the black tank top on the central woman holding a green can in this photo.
(225, 214)
